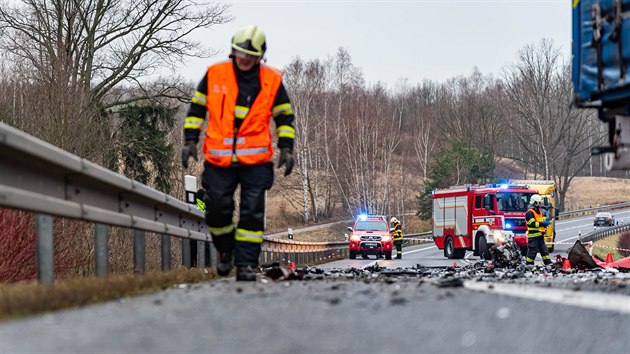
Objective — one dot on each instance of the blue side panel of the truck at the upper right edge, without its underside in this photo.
(601, 52)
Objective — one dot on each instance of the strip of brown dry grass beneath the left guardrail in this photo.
(28, 298)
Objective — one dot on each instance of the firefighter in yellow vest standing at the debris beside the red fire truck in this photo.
(536, 225)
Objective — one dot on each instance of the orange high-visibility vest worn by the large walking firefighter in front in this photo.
(251, 144)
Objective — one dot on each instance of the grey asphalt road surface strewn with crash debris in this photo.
(342, 314)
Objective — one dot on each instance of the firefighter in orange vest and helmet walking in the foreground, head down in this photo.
(239, 96)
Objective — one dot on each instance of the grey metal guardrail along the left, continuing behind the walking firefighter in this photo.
(39, 177)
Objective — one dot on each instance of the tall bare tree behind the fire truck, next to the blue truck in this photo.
(554, 136)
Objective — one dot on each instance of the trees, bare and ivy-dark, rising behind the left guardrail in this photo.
(82, 75)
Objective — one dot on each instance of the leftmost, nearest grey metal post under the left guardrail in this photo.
(45, 248)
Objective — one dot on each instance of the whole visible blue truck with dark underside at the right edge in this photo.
(600, 71)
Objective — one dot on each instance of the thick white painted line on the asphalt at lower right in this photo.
(583, 299)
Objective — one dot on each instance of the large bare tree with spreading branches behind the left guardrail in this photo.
(74, 61)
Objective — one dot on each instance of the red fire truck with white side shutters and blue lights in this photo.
(472, 217)
